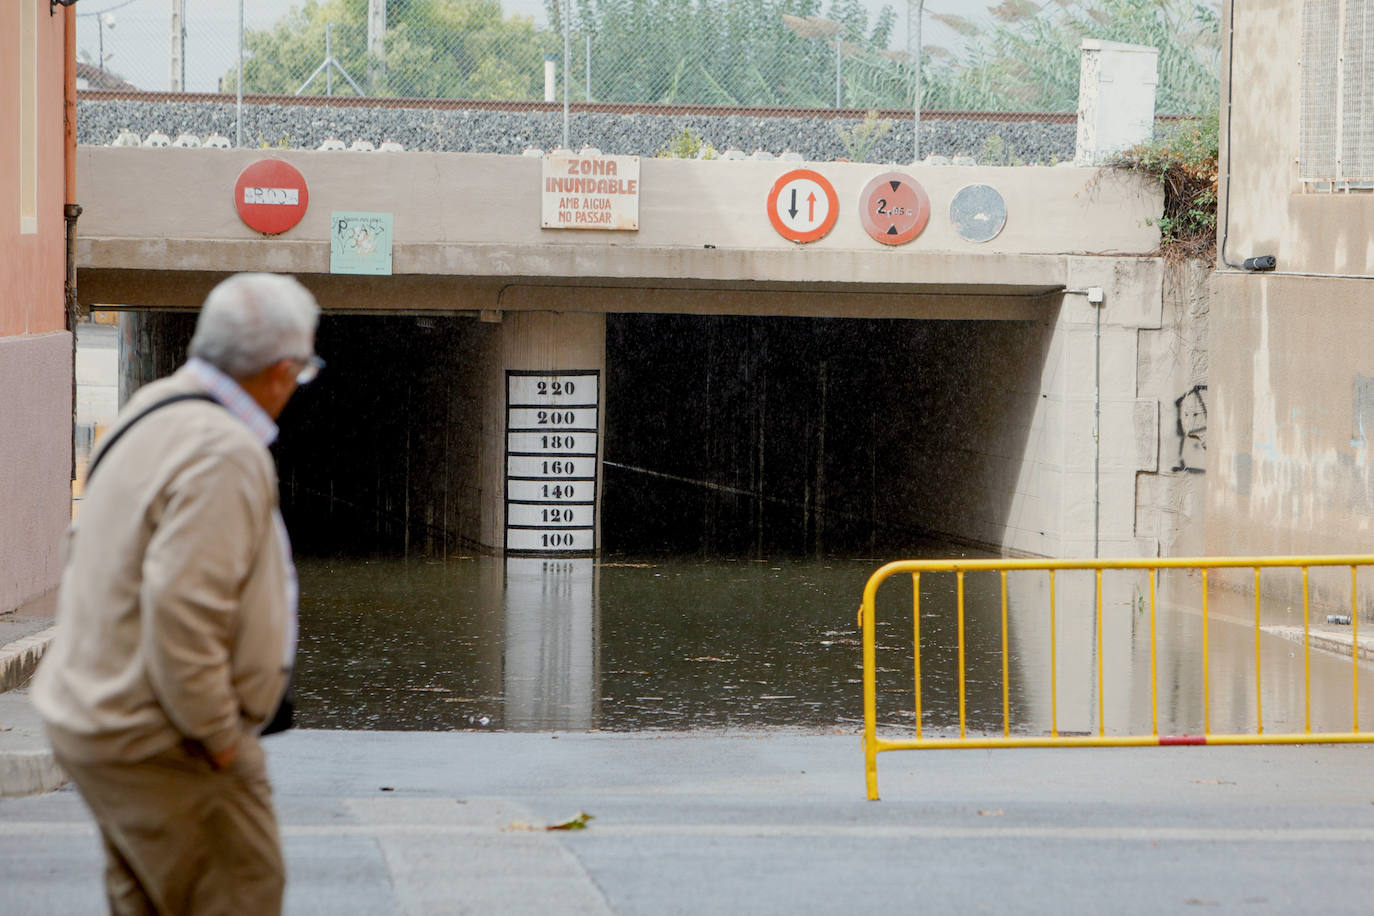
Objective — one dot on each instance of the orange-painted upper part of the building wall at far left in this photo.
(32, 267)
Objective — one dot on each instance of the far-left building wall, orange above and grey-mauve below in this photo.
(35, 348)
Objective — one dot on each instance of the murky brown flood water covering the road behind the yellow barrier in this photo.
(679, 643)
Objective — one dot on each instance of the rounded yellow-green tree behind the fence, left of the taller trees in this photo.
(433, 49)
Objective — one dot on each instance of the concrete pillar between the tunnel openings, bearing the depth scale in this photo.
(542, 435)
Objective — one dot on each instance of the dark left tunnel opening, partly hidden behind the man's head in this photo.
(379, 457)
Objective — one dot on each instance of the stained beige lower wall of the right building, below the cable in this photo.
(1291, 417)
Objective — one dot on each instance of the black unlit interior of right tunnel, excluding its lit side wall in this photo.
(750, 436)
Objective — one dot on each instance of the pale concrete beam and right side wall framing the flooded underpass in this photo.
(1030, 469)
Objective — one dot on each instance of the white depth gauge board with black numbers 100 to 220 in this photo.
(552, 451)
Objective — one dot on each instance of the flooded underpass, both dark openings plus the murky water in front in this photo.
(758, 473)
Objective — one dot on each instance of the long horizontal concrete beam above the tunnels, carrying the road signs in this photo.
(161, 229)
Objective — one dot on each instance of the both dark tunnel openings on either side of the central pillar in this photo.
(725, 436)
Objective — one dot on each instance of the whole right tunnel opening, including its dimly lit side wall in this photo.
(807, 437)
